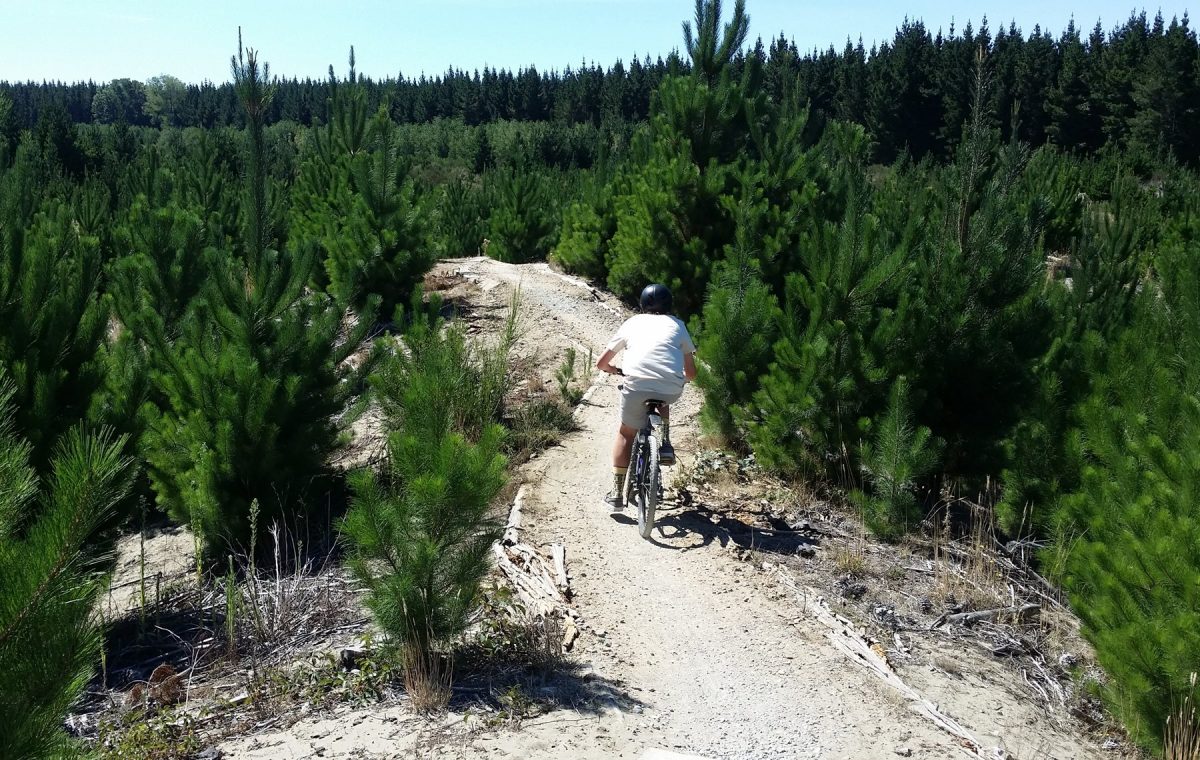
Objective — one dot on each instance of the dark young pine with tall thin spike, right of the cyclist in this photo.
(985, 324)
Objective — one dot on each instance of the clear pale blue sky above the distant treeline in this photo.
(101, 40)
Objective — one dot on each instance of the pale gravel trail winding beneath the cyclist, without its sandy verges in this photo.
(704, 662)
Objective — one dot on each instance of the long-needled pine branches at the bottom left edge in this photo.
(50, 643)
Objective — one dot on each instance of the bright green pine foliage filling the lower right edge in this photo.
(1127, 534)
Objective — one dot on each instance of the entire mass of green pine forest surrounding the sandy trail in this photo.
(956, 271)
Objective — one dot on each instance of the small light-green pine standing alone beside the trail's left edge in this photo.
(421, 534)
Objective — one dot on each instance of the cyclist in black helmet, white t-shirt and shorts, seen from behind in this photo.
(659, 361)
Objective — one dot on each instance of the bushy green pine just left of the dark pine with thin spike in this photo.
(845, 319)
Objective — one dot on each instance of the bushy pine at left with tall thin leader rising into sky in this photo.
(251, 393)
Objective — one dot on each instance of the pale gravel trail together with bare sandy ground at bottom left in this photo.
(683, 648)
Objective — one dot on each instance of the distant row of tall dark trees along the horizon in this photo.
(1137, 87)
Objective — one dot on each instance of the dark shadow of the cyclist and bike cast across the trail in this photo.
(682, 529)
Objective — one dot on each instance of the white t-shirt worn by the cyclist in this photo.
(655, 349)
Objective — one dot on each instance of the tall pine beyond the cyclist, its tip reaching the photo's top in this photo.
(667, 219)
